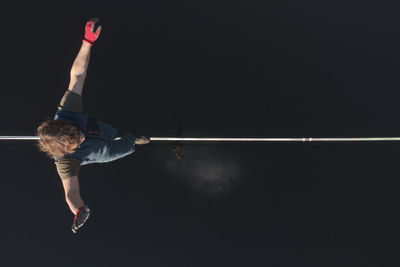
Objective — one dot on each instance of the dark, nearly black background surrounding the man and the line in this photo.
(221, 69)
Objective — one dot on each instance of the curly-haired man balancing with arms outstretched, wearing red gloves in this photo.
(75, 138)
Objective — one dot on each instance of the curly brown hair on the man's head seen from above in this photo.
(57, 138)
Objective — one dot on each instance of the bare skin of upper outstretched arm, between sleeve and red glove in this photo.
(79, 69)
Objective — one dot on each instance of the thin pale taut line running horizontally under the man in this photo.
(190, 139)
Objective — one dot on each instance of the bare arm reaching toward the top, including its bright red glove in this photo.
(81, 63)
